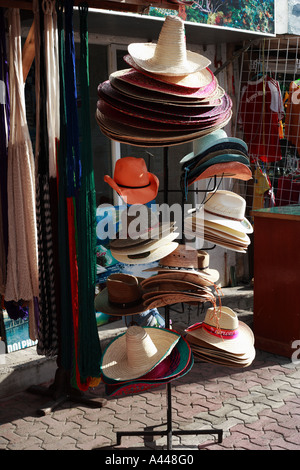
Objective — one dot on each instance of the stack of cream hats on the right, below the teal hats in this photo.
(221, 220)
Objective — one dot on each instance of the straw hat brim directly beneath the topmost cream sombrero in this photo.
(195, 80)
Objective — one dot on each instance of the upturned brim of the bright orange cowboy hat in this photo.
(136, 195)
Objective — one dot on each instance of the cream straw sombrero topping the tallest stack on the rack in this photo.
(169, 56)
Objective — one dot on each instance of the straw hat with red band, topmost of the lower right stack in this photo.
(222, 330)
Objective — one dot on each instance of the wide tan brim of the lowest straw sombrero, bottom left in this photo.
(114, 364)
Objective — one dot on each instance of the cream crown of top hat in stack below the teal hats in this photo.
(227, 204)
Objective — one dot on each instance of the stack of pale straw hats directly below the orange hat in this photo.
(152, 241)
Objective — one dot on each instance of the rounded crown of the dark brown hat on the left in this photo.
(123, 288)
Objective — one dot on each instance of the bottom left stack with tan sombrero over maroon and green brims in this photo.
(143, 358)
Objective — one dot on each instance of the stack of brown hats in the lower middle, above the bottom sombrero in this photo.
(180, 279)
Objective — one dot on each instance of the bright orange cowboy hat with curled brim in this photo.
(132, 181)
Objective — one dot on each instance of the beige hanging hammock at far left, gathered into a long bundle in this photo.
(22, 259)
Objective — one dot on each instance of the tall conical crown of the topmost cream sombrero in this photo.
(171, 44)
